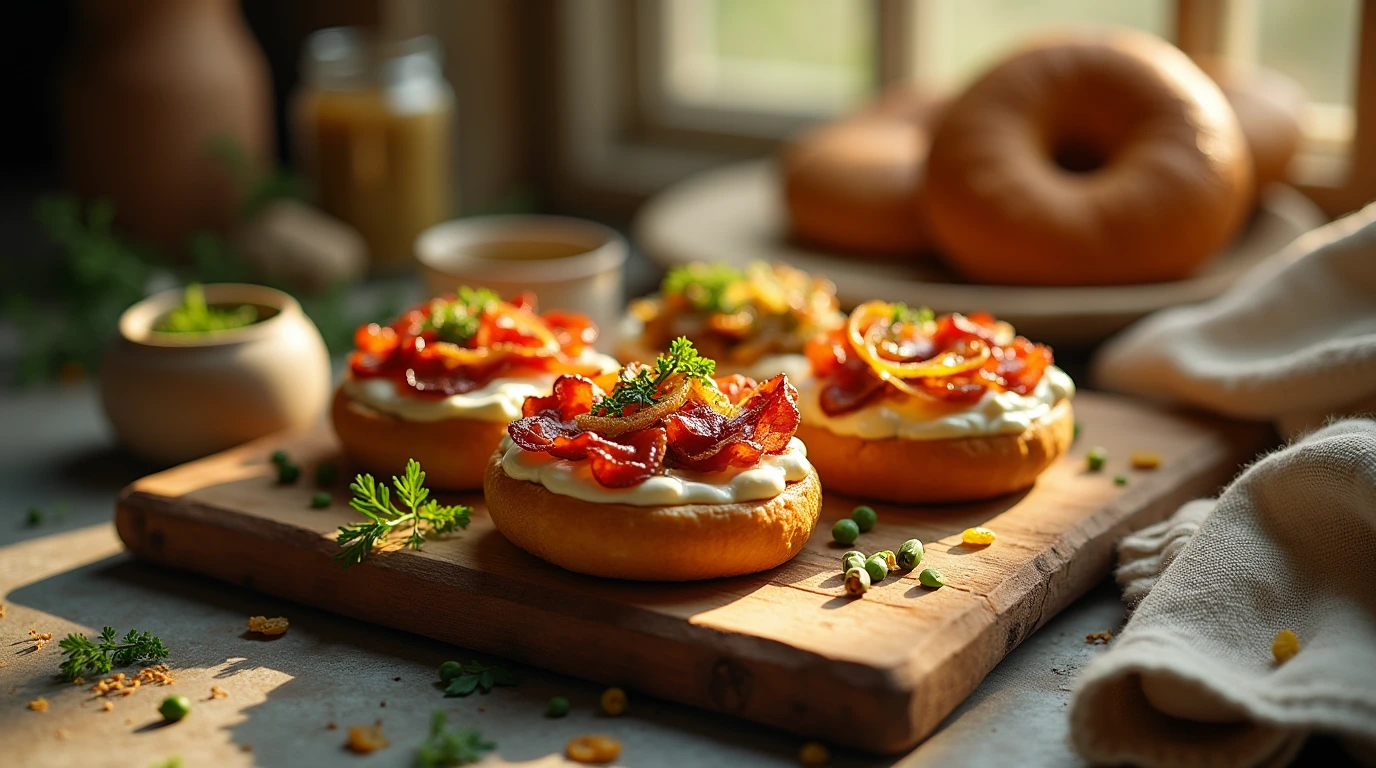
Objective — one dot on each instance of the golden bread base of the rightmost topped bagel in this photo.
(934, 471)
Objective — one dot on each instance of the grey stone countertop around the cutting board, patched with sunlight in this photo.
(69, 573)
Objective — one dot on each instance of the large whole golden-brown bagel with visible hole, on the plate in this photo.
(1099, 158)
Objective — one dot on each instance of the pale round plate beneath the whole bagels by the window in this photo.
(735, 214)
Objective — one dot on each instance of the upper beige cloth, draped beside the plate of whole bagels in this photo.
(1294, 342)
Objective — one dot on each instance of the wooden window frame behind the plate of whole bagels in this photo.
(621, 137)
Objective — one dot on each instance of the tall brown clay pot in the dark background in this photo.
(149, 86)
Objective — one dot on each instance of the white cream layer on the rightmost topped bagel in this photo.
(914, 419)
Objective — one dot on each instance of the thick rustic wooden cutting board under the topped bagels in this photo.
(785, 648)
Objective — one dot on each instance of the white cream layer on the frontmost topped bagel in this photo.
(766, 480)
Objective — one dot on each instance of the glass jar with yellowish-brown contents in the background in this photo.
(374, 126)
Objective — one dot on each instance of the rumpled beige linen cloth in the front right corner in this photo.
(1192, 681)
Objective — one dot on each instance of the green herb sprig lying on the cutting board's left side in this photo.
(374, 502)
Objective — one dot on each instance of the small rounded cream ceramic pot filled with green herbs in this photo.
(177, 397)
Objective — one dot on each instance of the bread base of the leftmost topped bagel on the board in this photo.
(453, 452)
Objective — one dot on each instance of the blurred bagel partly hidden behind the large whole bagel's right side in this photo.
(1269, 107)
